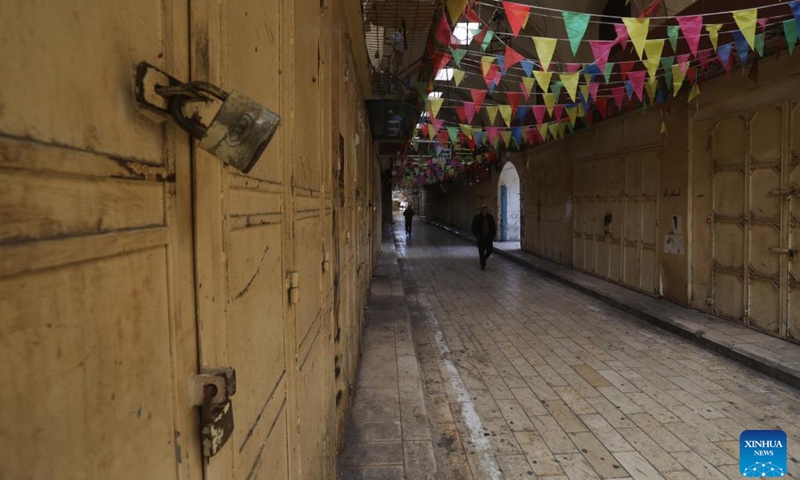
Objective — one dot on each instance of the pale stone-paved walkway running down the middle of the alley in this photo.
(526, 378)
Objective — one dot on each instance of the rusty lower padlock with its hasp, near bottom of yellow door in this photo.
(211, 391)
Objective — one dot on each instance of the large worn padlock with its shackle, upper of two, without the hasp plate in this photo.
(239, 132)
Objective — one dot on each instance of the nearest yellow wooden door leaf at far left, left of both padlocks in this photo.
(97, 320)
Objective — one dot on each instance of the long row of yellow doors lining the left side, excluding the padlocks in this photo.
(130, 259)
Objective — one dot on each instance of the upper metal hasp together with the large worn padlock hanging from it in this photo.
(240, 130)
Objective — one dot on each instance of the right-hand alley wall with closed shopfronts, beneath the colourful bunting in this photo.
(626, 203)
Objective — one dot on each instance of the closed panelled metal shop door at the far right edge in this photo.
(755, 222)
